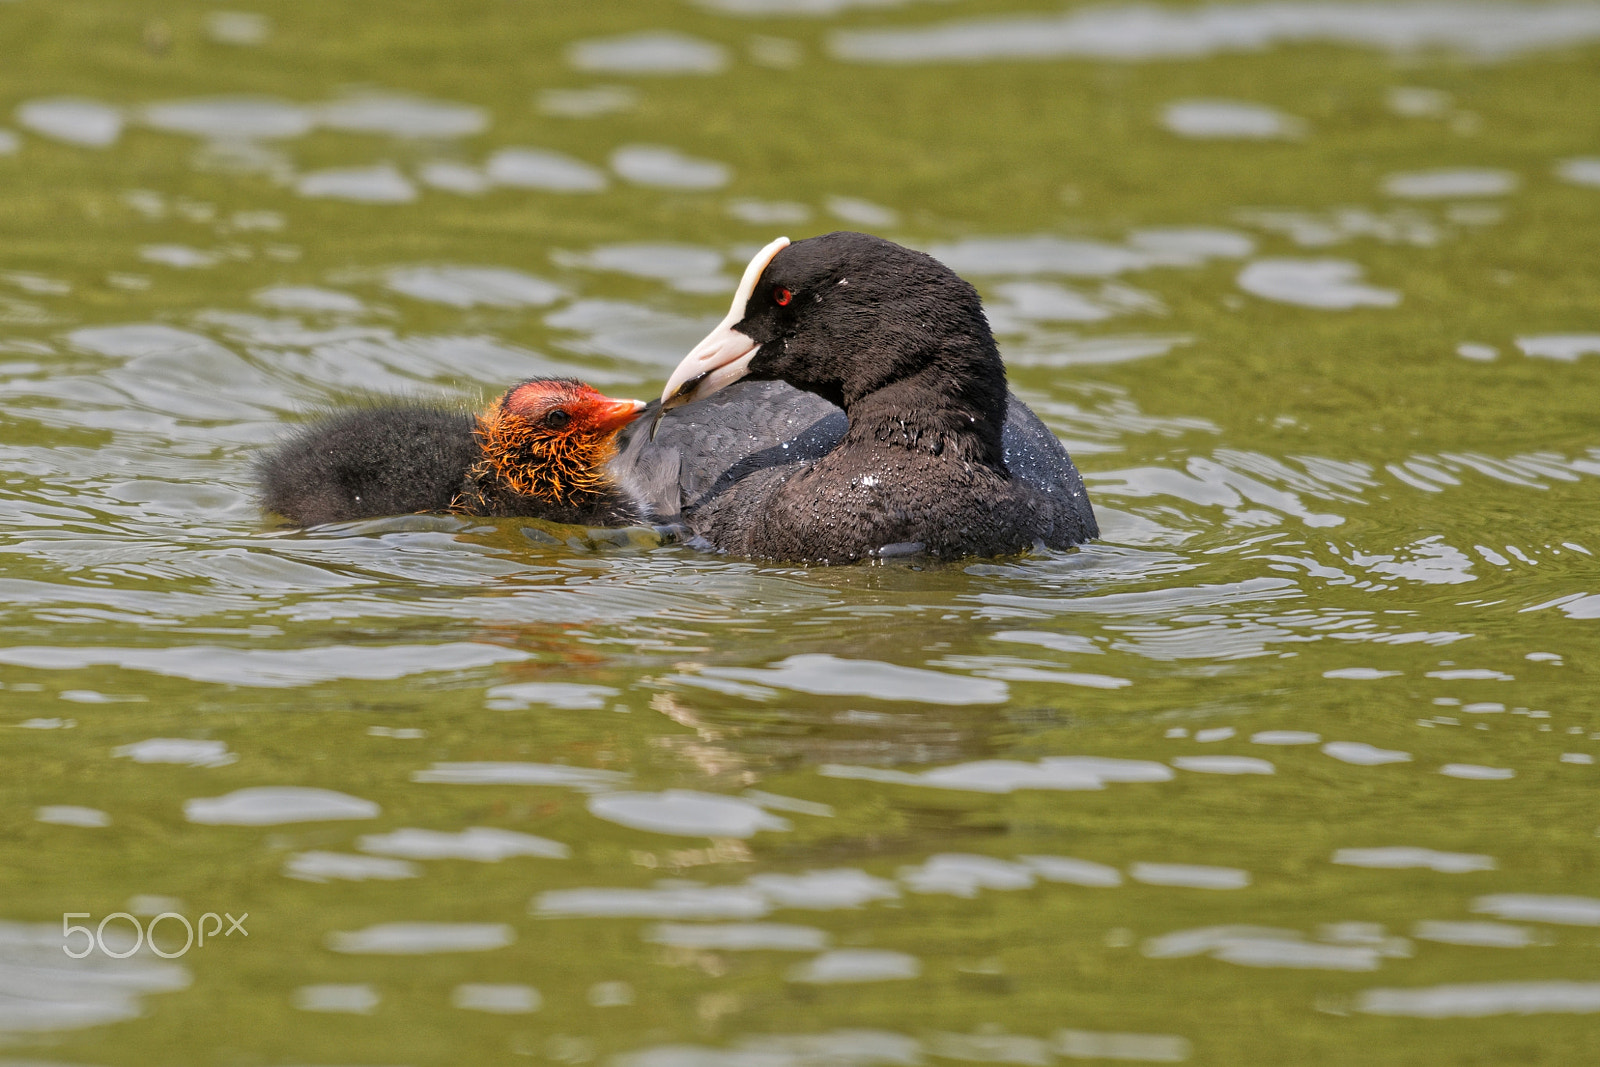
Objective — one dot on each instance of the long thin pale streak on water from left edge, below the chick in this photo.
(268, 668)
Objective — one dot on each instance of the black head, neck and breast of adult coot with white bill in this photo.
(900, 343)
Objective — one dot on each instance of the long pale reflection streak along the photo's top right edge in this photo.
(1143, 33)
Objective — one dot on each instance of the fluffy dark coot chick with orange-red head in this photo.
(542, 452)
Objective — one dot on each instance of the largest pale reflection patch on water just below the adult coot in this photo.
(831, 676)
